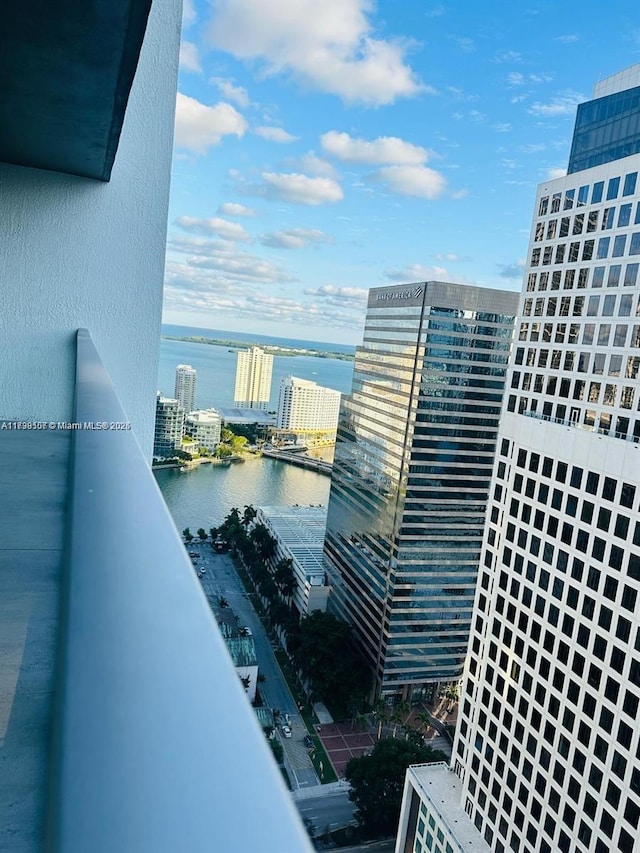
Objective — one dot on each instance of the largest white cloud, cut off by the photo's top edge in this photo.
(327, 46)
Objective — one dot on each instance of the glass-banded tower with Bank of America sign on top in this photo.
(413, 460)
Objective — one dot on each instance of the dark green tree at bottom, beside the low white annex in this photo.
(377, 782)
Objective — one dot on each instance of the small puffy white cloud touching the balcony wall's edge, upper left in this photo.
(198, 126)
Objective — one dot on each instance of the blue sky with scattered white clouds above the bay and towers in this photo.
(323, 147)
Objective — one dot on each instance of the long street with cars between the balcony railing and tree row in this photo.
(221, 580)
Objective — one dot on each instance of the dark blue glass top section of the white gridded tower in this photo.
(606, 129)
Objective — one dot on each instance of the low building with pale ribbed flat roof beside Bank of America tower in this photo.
(299, 534)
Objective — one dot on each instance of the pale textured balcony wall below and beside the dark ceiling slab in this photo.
(75, 252)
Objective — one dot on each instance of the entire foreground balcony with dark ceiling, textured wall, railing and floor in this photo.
(110, 658)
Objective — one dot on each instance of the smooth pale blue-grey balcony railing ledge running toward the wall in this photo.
(155, 745)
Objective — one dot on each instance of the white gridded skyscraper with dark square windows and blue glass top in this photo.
(548, 738)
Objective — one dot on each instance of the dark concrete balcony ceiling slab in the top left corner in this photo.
(66, 70)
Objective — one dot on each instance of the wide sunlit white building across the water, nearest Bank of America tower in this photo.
(305, 407)
